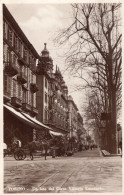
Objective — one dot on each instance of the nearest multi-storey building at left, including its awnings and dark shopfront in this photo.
(19, 62)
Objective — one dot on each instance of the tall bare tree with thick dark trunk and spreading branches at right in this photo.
(96, 47)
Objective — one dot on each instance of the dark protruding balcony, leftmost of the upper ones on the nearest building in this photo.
(11, 69)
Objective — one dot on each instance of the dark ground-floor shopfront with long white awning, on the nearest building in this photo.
(18, 125)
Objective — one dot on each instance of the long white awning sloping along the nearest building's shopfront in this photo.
(31, 122)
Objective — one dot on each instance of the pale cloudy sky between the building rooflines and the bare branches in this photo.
(41, 24)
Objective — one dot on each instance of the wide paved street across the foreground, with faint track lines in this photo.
(85, 171)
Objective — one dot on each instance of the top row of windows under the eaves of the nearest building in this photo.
(17, 44)
